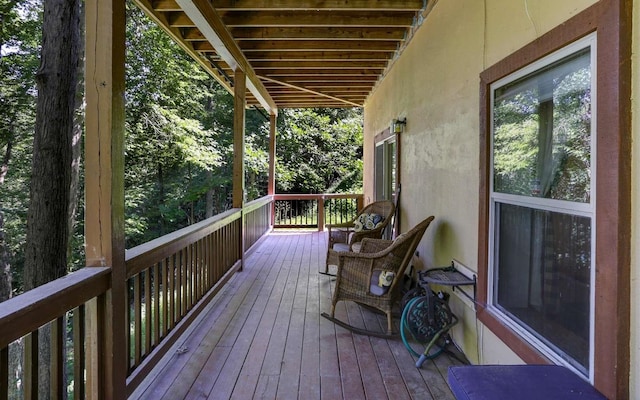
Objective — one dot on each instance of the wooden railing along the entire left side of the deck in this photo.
(170, 280)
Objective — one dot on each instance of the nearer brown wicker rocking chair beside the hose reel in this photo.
(358, 273)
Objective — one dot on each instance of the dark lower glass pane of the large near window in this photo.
(544, 275)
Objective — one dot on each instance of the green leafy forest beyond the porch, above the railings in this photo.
(179, 132)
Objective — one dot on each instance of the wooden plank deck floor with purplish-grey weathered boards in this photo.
(263, 338)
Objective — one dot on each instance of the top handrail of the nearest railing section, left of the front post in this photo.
(31, 310)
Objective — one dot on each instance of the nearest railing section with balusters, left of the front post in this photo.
(55, 303)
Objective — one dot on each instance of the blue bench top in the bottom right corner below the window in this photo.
(521, 382)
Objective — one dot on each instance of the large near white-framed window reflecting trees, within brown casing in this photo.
(542, 203)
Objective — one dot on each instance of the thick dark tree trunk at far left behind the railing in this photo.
(47, 218)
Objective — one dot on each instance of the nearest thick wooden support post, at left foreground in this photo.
(104, 190)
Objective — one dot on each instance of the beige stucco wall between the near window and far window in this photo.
(435, 85)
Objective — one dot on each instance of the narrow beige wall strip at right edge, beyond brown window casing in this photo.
(635, 205)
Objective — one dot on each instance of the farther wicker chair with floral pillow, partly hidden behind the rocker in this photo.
(343, 237)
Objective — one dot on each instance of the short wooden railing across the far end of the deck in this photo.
(315, 210)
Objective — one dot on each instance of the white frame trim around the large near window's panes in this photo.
(580, 209)
